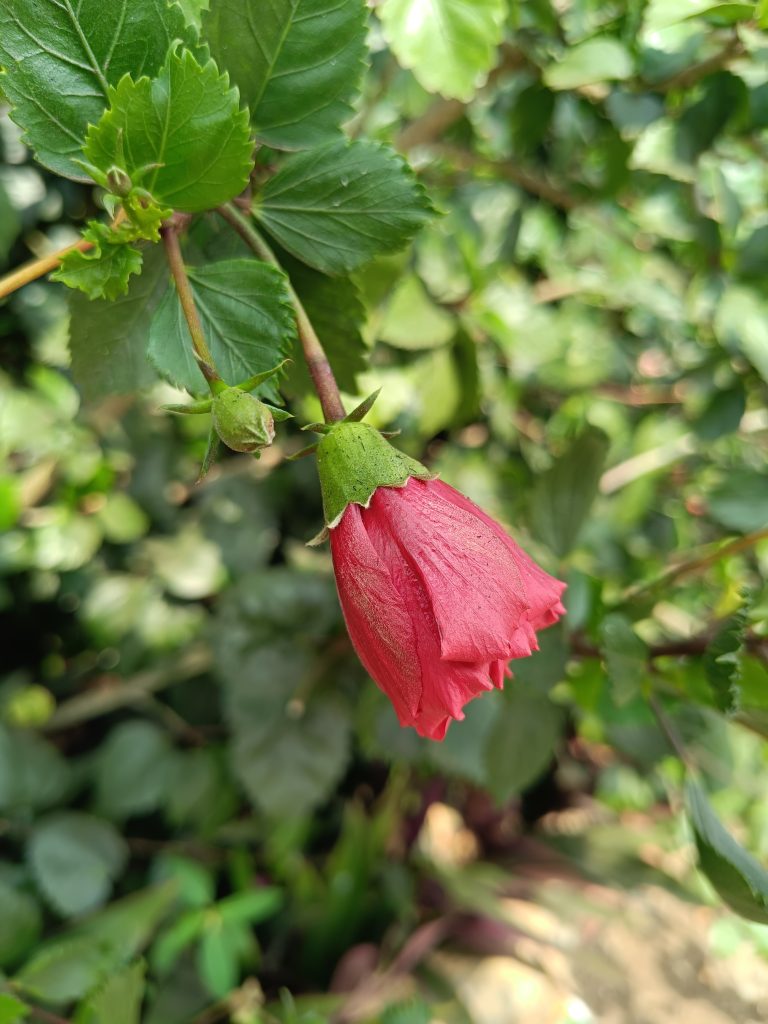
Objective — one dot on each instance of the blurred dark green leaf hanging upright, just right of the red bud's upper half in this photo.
(564, 495)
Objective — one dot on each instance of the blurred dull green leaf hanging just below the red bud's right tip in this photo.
(523, 742)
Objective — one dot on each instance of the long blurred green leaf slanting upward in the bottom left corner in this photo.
(73, 965)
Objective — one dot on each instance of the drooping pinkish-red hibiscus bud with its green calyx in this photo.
(437, 596)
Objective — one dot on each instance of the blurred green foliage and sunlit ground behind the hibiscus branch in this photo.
(194, 767)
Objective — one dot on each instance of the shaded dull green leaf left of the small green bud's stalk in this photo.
(108, 340)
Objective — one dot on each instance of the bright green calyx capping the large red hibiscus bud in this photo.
(354, 460)
